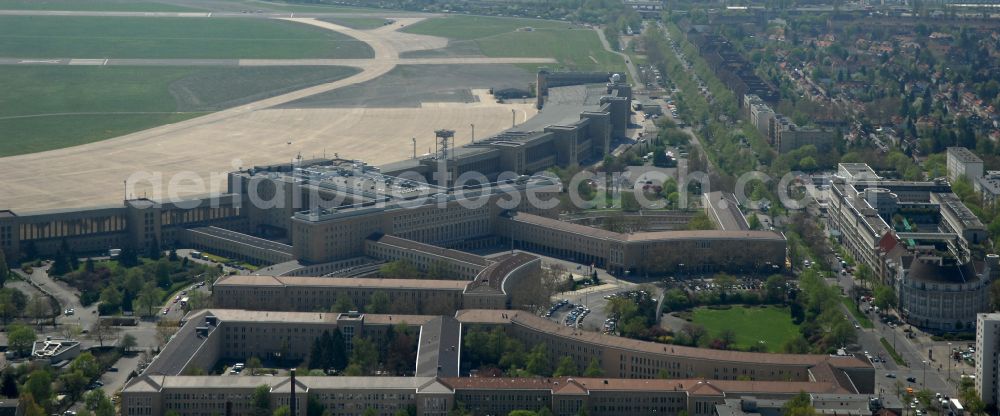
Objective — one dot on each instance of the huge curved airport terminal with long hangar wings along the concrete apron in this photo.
(335, 216)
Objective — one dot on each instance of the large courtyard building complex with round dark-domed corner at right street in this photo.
(917, 238)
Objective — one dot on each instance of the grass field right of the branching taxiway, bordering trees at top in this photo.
(575, 47)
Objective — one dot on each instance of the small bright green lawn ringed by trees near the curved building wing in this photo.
(772, 325)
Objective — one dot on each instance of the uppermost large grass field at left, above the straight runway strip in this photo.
(143, 37)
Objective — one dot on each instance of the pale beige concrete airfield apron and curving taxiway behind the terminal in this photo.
(260, 133)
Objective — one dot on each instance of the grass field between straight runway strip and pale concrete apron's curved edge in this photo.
(46, 108)
